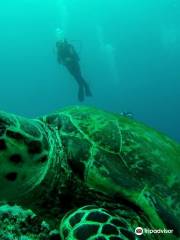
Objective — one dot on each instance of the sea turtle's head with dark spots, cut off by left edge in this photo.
(23, 155)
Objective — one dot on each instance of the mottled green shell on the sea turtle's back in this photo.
(123, 158)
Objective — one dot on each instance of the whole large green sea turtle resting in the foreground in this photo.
(100, 175)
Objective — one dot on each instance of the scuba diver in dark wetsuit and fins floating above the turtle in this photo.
(67, 56)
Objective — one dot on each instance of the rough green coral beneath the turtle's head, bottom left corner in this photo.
(19, 224)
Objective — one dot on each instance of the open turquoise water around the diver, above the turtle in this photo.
(129, 54)
